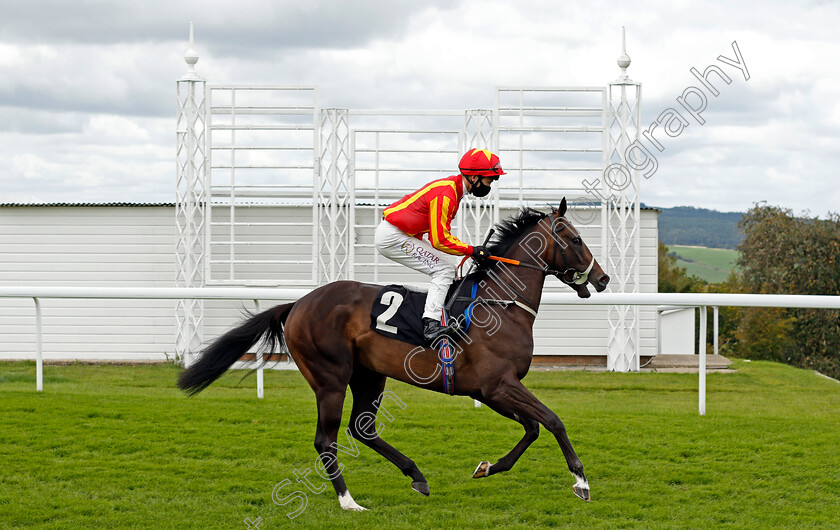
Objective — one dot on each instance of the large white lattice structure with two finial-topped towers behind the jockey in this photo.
(259, 146)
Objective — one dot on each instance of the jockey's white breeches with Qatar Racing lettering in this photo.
(420, 255)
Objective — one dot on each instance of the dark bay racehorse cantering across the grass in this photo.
(328, 334)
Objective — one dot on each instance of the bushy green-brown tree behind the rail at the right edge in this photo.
(785, 254)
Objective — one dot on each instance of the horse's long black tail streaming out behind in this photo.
(227, 349)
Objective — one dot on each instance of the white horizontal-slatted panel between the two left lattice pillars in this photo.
(263, 151)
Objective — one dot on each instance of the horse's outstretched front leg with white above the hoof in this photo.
(512, 394)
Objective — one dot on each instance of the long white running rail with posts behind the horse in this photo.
(256, 294)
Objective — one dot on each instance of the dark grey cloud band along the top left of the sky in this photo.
(228, 27)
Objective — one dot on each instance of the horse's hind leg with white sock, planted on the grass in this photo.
(329, 421)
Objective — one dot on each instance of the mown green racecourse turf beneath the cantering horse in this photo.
(119, 446)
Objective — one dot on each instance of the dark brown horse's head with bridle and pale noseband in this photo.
(569, 257)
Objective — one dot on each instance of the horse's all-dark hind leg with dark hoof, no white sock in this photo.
(368, 388)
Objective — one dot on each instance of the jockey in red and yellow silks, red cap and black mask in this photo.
(430, 210)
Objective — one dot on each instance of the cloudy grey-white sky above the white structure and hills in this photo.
(87, 88)
